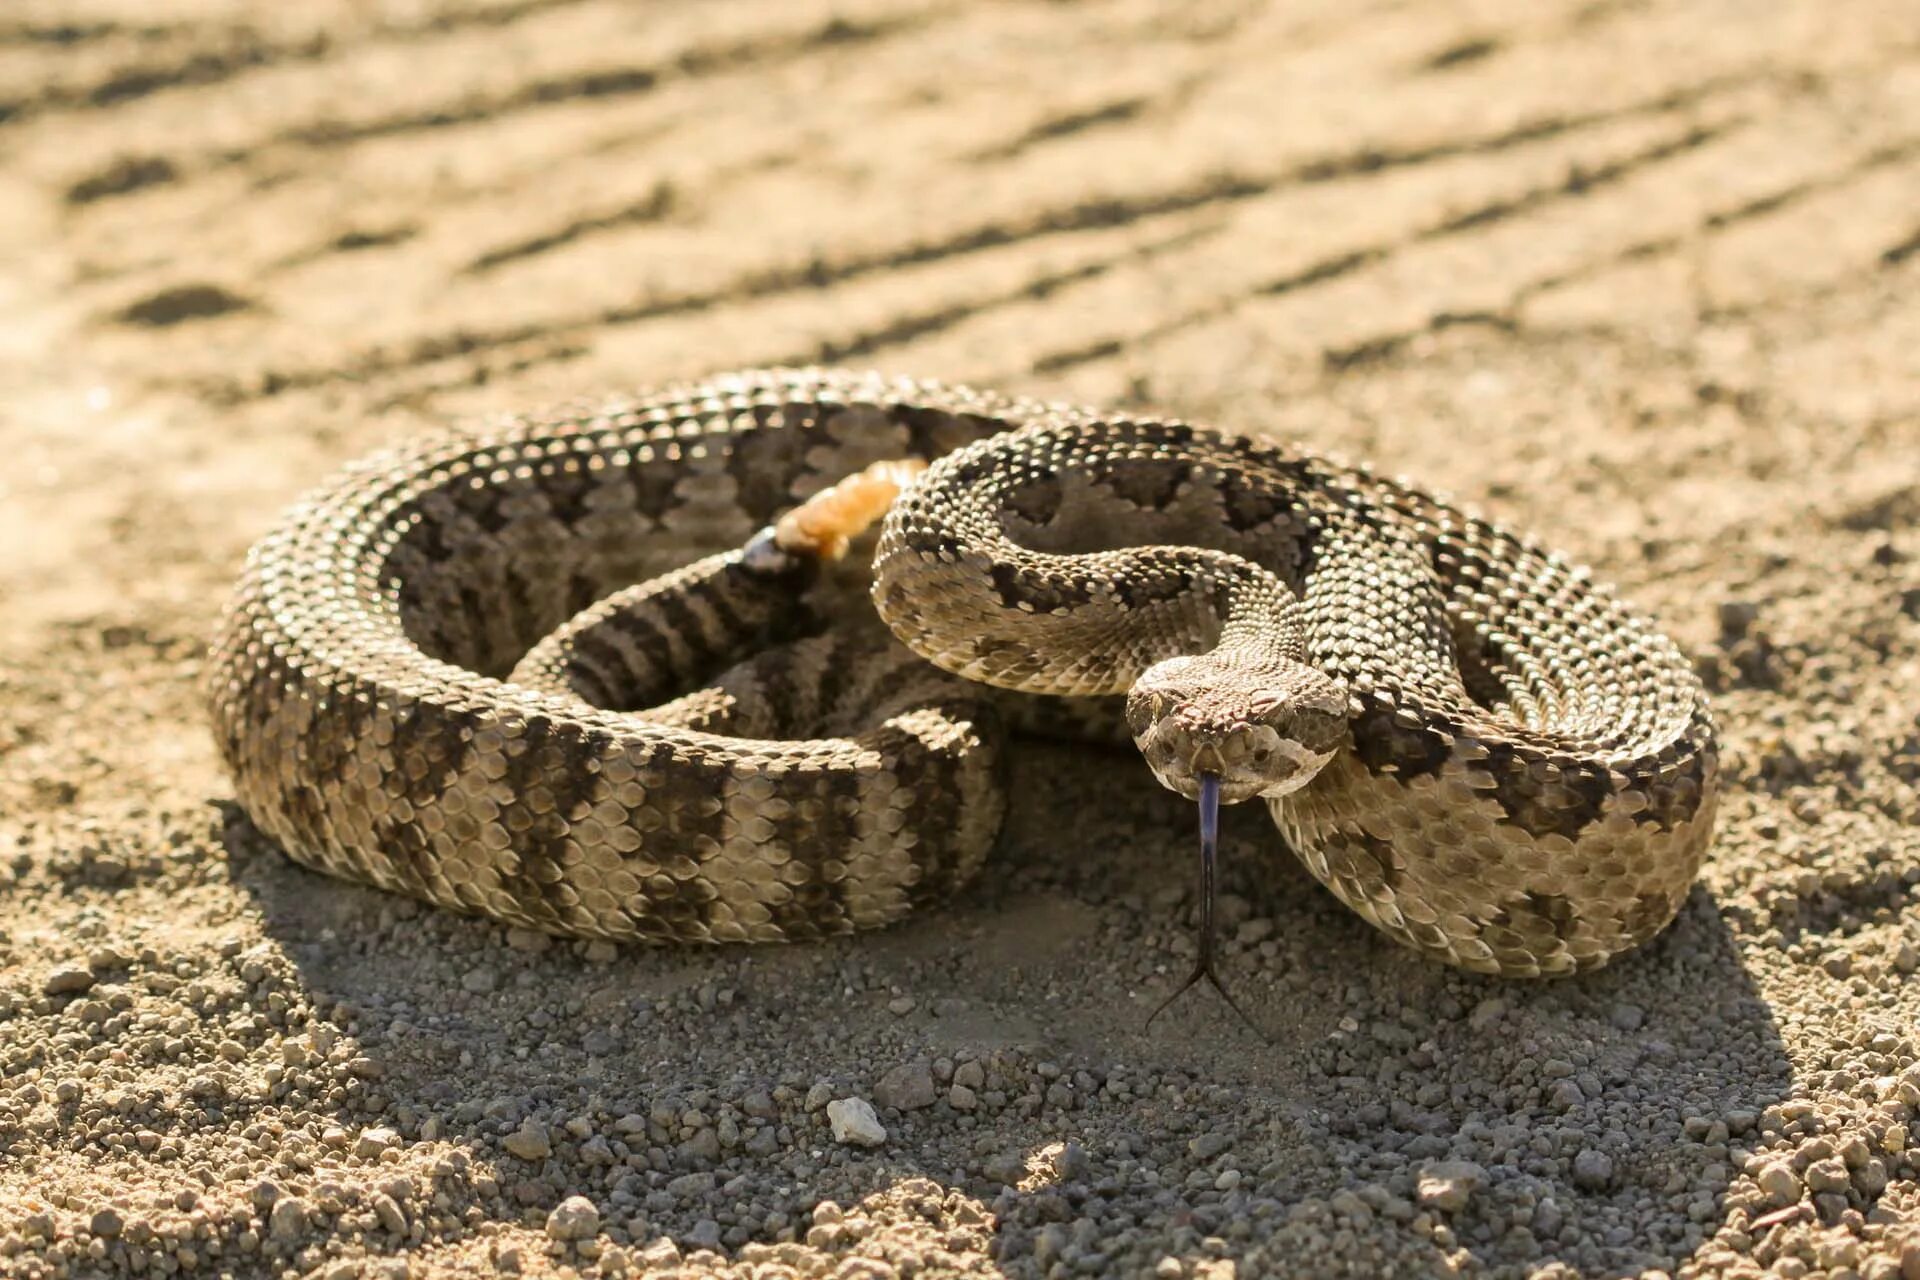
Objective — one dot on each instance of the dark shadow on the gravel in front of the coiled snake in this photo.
(1389, 1110)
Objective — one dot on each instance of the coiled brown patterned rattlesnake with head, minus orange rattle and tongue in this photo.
(556, 673)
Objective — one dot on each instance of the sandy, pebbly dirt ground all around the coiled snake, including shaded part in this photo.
(1637, 277)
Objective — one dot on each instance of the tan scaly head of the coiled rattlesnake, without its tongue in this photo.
(1262, 728)
